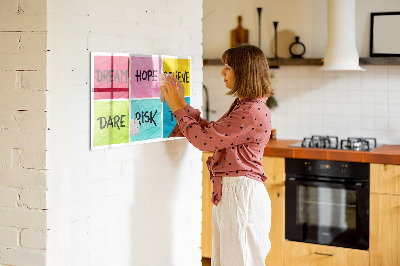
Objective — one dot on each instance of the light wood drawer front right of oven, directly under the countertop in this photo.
(385, 178)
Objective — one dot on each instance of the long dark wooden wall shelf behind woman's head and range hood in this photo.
(273, 62)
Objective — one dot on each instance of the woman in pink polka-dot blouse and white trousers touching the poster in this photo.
(242, 208)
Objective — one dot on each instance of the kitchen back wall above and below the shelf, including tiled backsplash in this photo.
(311, 102)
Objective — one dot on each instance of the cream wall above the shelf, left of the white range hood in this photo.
(306, 18)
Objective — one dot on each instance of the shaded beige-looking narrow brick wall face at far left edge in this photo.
(23, 132)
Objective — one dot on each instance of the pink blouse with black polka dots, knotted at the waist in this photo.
(238, 139)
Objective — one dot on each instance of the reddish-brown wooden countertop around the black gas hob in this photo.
(389, 154)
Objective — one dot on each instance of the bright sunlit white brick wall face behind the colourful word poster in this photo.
(135, 205)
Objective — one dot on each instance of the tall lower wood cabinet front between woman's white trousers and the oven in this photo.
(277, 233)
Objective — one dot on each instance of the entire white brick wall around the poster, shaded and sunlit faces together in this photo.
(109, 207)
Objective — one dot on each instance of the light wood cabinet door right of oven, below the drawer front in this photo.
(384, 236)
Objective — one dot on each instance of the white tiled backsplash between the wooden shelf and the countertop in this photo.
(314, 102)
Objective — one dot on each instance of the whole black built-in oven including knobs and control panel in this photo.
(327, 202)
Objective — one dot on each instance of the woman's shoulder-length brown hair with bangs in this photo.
(250, 66)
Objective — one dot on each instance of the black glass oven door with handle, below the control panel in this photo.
(327, 213)
